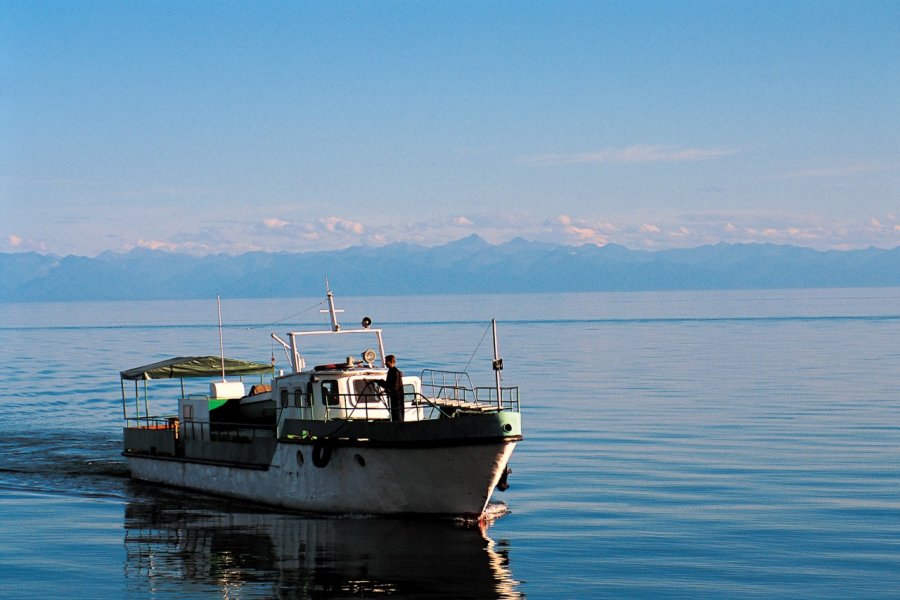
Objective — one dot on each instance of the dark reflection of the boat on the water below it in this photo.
(182, 544)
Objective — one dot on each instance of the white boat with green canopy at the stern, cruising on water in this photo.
(323, 439)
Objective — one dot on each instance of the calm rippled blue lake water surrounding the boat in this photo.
(741, 444)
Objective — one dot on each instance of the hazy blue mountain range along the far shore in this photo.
(468, 265)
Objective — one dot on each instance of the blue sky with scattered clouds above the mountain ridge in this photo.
(228, 127)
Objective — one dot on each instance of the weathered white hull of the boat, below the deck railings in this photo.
(356, 479)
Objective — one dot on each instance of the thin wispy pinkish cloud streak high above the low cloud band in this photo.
(638, 153)
